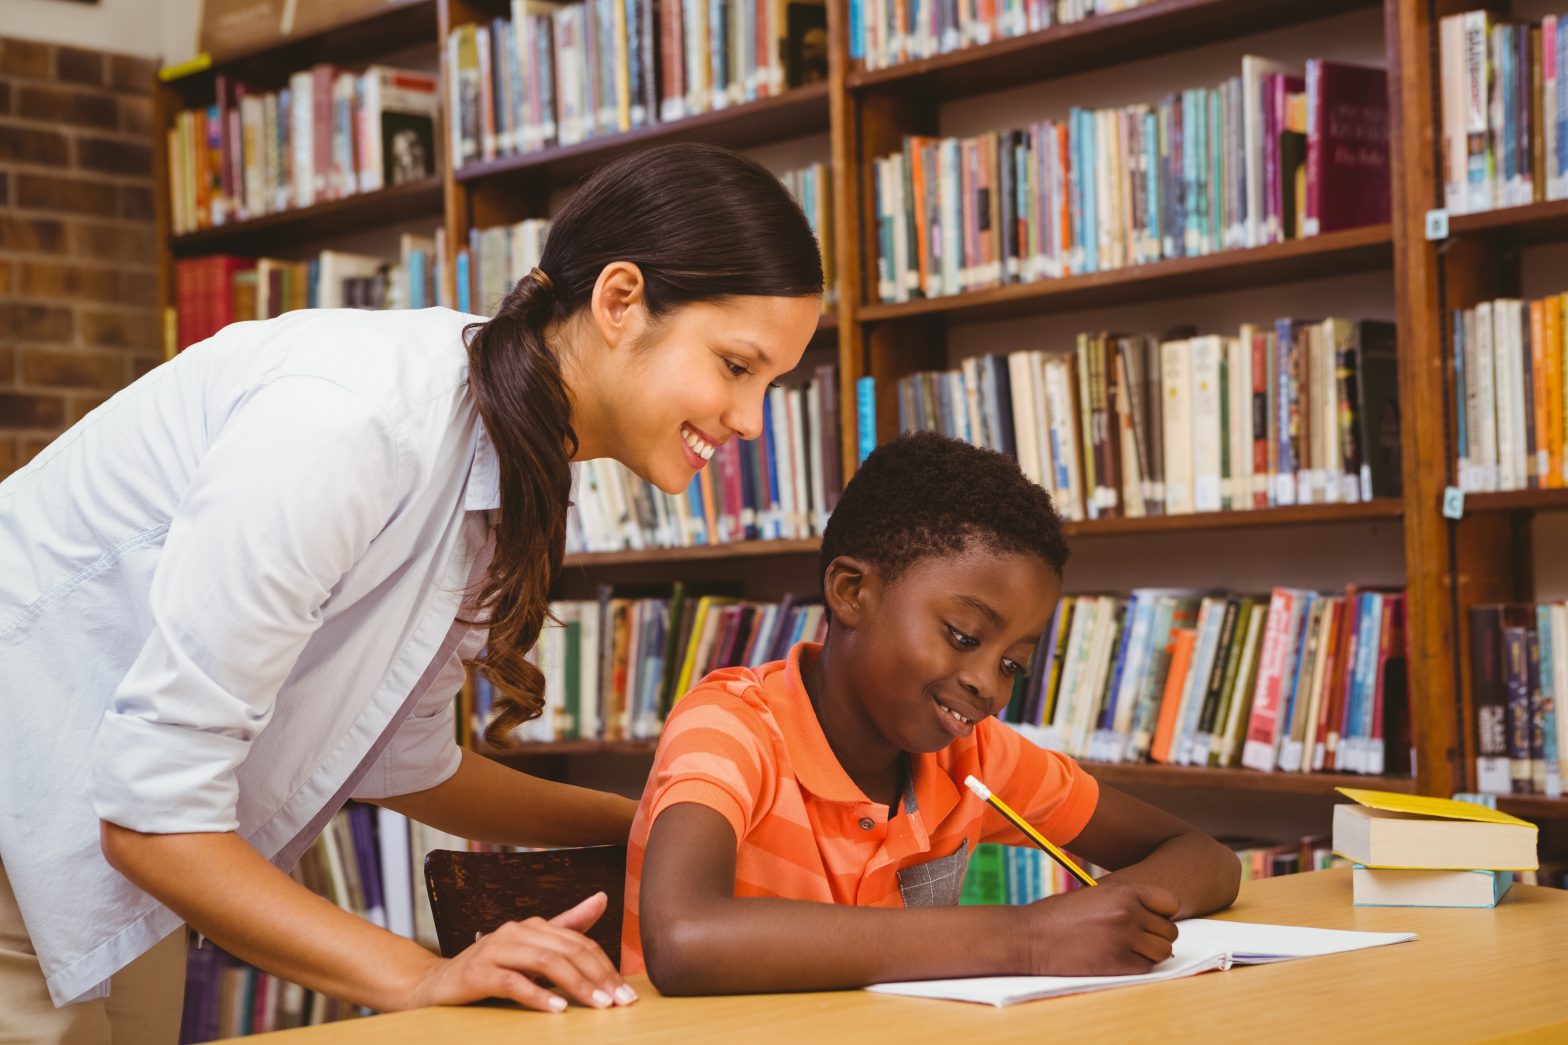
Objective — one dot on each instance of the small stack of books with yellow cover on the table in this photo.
(1415, 851)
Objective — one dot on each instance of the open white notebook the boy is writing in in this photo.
(1202, 945)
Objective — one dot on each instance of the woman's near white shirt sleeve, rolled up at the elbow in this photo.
(285, 501)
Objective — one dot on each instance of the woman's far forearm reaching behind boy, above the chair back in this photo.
(490, 803)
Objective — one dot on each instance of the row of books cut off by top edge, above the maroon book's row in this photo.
(895, 32)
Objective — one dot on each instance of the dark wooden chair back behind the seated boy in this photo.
(481, 892)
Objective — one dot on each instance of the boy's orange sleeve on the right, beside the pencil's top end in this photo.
(1050, 790)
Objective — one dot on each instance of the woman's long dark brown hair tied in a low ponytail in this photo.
(702, 224)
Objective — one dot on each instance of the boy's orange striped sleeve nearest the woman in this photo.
(714, 752)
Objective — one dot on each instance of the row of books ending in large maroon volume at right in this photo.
(1266, 158)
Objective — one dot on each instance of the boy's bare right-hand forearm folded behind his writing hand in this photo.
(1155, 848)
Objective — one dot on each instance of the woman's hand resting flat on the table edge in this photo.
(504, 964)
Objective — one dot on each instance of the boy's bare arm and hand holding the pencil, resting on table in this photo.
(699, 938)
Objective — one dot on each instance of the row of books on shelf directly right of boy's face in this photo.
(1294, 682)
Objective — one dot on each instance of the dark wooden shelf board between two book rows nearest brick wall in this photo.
(286, 230)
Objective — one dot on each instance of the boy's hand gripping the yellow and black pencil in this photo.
(1112, 930)
